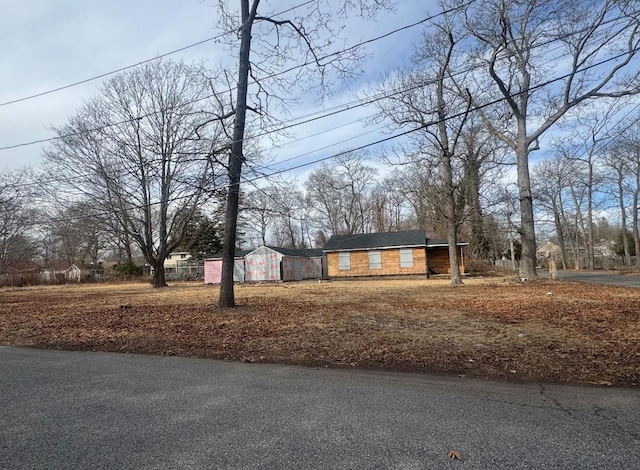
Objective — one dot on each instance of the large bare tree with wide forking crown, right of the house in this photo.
(515, 42)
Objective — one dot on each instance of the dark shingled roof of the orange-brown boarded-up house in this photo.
(360, 241)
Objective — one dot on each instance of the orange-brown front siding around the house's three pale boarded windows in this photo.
(390, 263)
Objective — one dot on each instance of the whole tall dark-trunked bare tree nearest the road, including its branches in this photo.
(305, 32)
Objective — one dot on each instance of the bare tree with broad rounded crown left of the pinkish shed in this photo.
(141, 154)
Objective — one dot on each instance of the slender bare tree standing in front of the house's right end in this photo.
(436, 109)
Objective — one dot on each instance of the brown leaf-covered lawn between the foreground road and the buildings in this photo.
(563, 331)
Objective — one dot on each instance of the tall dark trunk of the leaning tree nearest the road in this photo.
(227, 297)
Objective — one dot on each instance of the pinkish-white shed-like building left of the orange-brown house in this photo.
(267, 263)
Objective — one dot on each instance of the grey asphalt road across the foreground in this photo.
(100, 410)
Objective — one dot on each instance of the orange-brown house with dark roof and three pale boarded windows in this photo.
(388, 253)
